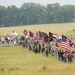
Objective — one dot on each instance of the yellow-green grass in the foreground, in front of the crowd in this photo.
(20, 61)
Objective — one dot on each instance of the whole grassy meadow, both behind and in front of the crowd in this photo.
(17, 60)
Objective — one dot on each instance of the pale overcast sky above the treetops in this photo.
(18, 3)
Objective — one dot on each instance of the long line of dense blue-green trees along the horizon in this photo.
(33, 13)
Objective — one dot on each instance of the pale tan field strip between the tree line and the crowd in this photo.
(62, 28)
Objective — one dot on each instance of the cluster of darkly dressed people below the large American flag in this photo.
(66, 56)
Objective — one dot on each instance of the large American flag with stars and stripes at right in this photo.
(66, 43)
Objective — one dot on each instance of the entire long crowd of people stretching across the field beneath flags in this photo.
(39, 47)
